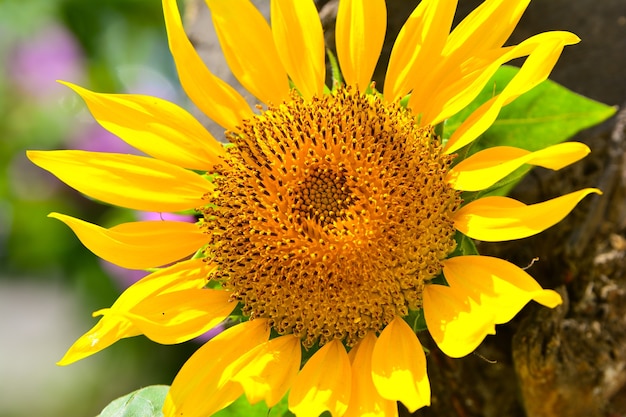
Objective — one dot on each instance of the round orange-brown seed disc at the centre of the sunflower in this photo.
(331, 215)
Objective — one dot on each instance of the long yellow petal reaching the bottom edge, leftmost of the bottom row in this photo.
(200, 388)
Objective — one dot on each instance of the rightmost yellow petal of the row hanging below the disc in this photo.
(399, 366)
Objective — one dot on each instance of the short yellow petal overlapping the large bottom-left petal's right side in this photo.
(268, 371)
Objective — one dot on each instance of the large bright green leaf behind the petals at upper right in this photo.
(546, 115)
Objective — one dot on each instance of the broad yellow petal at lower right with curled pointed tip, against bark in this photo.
(484, 291)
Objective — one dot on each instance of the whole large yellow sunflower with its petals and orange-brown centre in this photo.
(333, 217)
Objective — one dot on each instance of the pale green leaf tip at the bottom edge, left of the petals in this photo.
(145, 402)
